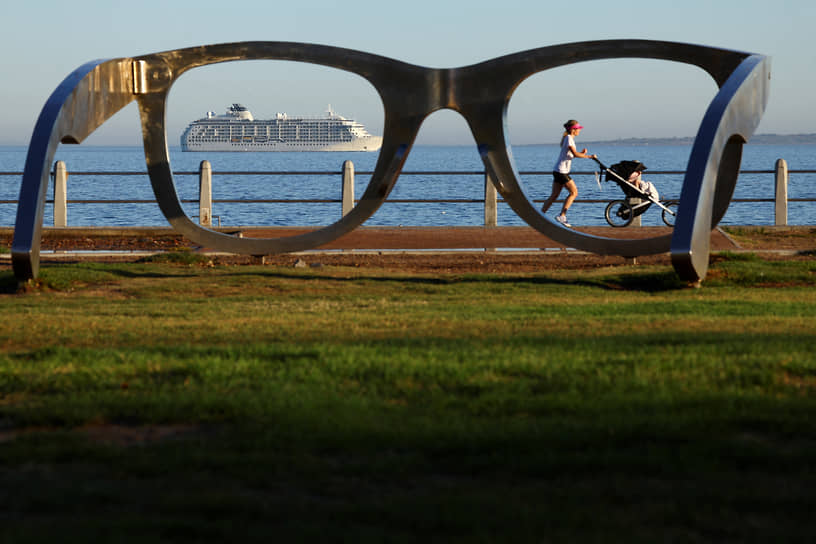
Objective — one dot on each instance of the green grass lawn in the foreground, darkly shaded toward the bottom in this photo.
(175, 402)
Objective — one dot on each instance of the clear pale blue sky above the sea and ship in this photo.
(43, 41)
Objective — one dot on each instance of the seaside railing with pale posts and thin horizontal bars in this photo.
(490, 200)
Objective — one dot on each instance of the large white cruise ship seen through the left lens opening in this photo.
(238, 130)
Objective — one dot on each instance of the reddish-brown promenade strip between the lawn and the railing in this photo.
(414, 249)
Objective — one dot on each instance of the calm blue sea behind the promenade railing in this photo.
(425, 186)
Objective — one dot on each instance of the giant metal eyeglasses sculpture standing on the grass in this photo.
(97, 90)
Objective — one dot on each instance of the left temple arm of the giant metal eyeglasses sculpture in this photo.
(88, 97)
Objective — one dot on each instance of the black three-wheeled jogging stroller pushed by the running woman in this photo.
(620, 213)
